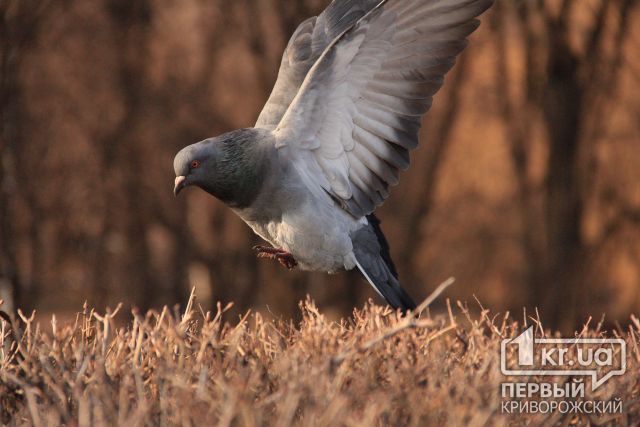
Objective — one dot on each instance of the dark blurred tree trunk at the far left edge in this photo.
(21, 23)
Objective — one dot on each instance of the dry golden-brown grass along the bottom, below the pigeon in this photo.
(193, 368)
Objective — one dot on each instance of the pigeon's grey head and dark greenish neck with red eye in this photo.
(227, 167)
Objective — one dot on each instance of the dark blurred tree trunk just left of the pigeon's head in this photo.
(131, 20)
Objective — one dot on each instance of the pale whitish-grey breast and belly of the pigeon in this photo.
(295, 214)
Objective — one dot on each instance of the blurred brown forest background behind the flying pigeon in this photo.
(526, 185)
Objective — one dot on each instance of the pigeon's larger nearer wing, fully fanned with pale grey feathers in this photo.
(350, 127)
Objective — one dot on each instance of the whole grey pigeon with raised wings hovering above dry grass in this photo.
(336, 131)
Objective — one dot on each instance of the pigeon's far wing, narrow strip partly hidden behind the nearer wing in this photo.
(308, 42)
